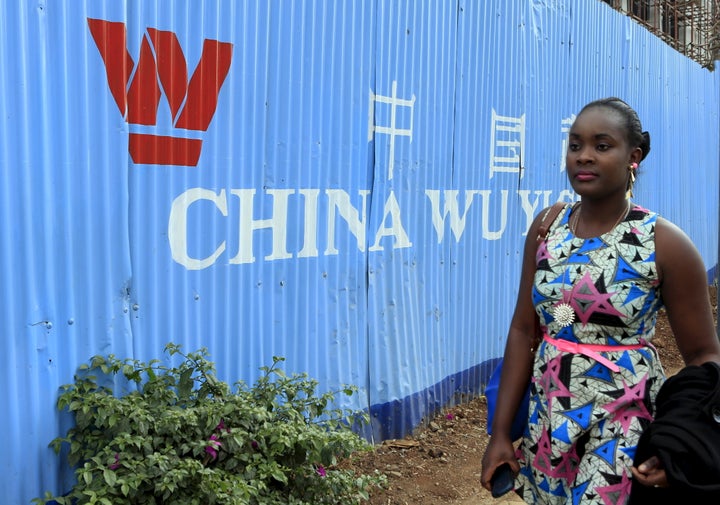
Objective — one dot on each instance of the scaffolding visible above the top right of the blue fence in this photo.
(690, 26)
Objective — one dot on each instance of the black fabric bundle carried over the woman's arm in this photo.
(685, 435)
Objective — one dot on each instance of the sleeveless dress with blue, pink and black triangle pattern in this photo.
(585, 419)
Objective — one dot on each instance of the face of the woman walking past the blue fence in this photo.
(598, 154)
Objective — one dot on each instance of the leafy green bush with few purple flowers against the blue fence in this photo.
(184, 437)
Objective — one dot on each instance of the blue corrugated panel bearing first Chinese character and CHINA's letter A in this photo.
(410, 312)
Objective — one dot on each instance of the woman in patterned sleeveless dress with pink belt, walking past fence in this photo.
(594, 287)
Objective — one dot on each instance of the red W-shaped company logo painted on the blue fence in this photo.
(137, 89)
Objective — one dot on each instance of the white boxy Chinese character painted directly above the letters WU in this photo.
(507, 142)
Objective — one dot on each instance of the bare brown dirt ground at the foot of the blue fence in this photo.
(440, 463)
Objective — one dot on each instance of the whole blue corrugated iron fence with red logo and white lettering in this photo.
(345, 184)
